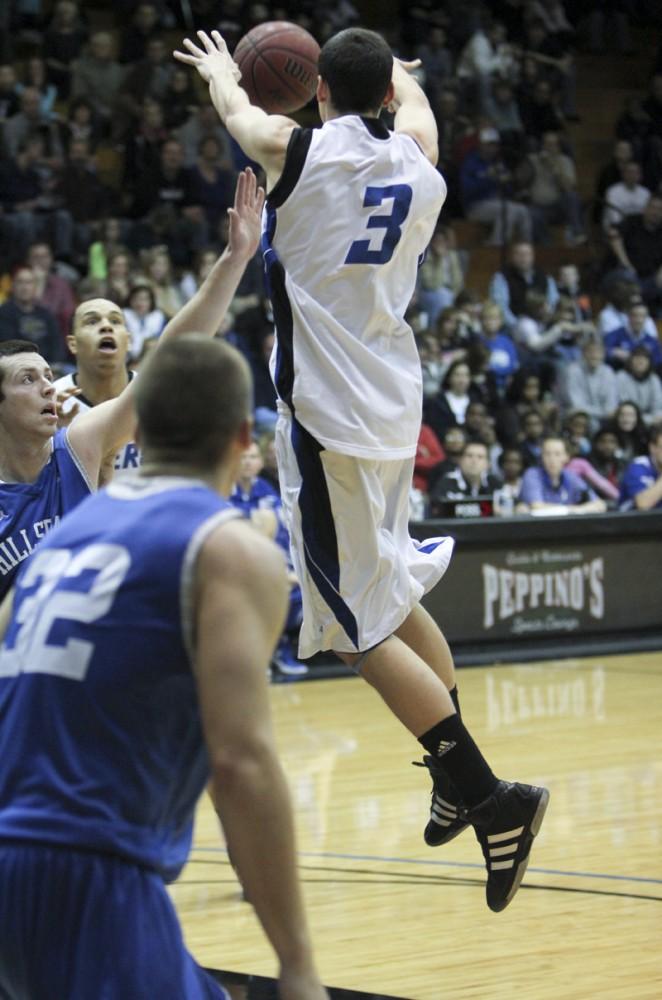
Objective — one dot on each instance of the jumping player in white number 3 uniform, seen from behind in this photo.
(350, 209)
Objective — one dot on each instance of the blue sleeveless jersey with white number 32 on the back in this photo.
(100, 739)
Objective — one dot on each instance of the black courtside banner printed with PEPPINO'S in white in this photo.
(547, 589)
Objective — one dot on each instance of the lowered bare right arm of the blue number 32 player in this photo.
(241, 603)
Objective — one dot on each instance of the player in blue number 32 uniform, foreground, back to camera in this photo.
(131, 677)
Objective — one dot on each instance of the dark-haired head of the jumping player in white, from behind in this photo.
(357, 66)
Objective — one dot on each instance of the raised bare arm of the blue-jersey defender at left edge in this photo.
(105, 428)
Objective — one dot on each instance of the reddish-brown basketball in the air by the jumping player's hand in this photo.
(278, 63)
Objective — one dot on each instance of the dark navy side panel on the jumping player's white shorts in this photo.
(318, 528)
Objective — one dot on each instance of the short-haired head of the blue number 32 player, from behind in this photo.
(192, 397)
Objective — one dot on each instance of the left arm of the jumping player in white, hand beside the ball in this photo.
(263, 137)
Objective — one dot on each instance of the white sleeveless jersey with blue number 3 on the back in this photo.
(344, 230)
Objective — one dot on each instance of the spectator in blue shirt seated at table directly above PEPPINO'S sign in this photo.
(550, 488)
